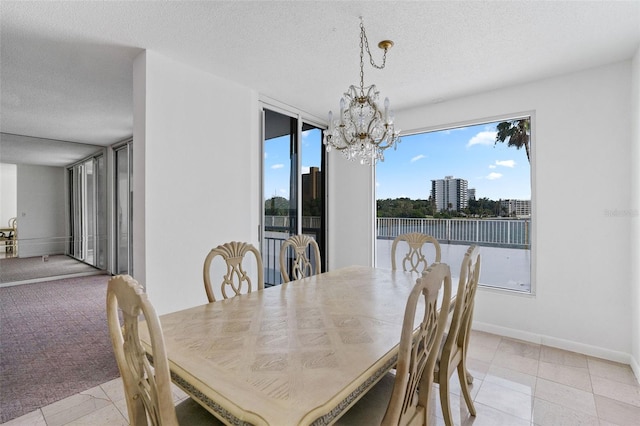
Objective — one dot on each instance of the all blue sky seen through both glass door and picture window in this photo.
(468, 152)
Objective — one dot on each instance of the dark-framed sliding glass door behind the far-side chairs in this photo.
(293, 186)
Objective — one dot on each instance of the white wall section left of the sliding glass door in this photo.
(199, 138)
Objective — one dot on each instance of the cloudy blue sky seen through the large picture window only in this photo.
(495, 171)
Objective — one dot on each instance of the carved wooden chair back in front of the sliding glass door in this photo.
(303, 265)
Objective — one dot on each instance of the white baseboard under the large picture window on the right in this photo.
(567, 345)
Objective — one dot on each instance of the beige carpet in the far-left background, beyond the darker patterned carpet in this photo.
(18, 270)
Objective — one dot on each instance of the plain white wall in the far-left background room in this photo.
(41, 203)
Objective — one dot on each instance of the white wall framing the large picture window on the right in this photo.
(581, 168)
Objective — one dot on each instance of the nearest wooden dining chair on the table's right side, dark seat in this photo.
(406, 394)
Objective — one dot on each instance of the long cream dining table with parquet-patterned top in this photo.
(300, 353)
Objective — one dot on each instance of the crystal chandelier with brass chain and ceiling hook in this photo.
(363, 130)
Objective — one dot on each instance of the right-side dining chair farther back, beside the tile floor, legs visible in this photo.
(453, 355)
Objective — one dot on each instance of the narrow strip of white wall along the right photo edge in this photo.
(635, 216)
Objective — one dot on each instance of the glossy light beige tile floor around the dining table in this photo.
(515, 383)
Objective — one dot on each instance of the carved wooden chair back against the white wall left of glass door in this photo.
(236, 277)
